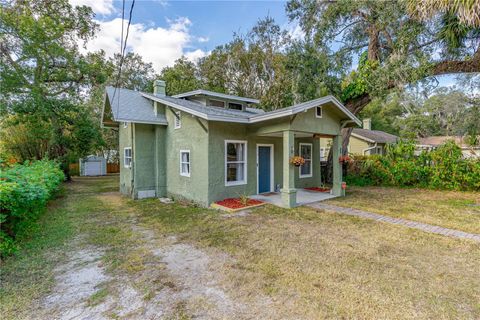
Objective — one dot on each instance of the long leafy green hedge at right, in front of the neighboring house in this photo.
(443, 168)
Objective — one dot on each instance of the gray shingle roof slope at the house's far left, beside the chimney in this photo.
(131, 106)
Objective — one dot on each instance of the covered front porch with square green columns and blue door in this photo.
(294, 179)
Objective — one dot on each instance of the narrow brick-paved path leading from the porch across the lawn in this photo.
(399, 221)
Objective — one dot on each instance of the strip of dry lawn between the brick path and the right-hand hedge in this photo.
(449, 209)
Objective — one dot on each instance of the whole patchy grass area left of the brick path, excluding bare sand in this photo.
(306, 264)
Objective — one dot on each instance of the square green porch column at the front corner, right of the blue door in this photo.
(289, 193)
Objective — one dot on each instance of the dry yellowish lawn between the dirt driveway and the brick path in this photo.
(321, 265)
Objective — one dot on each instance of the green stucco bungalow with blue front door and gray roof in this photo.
(205, 146)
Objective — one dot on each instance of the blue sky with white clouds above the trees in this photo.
(162, 31)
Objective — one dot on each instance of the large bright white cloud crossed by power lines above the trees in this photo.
(160, 46)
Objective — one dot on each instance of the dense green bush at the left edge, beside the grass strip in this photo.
(24, 193)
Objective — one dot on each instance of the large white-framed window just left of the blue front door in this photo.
(235, 162)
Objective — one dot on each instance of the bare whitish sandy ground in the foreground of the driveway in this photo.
(178, 281)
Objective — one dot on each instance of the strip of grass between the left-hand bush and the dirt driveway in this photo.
(28, 276)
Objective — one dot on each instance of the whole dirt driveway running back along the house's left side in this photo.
(140, 274)
